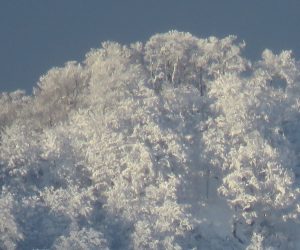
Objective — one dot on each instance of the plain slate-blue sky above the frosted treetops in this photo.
(36, 35)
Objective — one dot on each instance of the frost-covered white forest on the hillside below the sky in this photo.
(176, 143)
